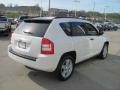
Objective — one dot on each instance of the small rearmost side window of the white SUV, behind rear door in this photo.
(66, 28)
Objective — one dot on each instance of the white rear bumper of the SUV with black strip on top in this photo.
(42, 62)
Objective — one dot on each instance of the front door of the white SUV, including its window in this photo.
(93, 37)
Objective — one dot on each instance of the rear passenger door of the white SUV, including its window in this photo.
(81, 43)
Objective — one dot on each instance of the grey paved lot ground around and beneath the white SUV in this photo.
(93, 74)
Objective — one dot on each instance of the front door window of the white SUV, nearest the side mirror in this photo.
(89, 29)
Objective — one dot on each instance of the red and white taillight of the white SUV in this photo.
(47, 46)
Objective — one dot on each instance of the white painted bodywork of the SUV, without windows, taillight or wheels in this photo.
(84, 47)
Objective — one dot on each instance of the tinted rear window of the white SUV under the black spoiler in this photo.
(33, 28)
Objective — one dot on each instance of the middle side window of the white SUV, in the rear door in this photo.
(77, 30)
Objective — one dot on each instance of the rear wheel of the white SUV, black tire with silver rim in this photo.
(65, 68)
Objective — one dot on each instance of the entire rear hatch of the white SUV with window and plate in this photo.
(27, 37)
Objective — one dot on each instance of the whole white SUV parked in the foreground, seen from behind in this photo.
(56, 44)
